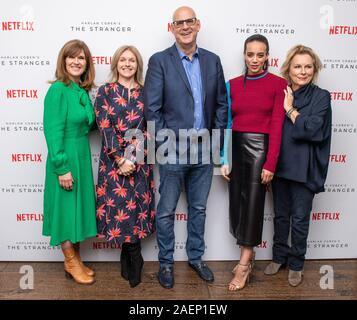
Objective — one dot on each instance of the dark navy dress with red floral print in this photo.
(125, 208)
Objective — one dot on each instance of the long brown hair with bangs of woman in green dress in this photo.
(71, 49)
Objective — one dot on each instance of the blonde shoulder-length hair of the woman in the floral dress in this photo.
(114, 74)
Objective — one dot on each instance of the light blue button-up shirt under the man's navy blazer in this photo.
(193, 72)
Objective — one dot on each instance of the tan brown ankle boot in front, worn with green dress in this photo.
(73, 268)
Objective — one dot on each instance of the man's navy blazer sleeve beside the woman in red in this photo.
(222, 105)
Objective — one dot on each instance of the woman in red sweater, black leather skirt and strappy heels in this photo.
(257, 109)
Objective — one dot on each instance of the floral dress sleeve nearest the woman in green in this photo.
(105, 125)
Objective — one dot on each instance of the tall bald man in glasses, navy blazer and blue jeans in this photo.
(185, 89)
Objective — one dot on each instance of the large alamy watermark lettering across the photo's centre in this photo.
(181, 146)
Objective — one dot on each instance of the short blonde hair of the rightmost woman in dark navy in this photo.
(300, 49)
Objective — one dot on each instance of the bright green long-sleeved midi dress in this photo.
(68, 117)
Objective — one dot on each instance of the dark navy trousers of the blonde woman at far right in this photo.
(292, 206)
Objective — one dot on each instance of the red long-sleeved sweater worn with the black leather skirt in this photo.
(259, 107)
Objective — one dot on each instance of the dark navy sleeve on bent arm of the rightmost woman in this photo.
(309, 127)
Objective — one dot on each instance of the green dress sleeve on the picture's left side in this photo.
(54, 123)
